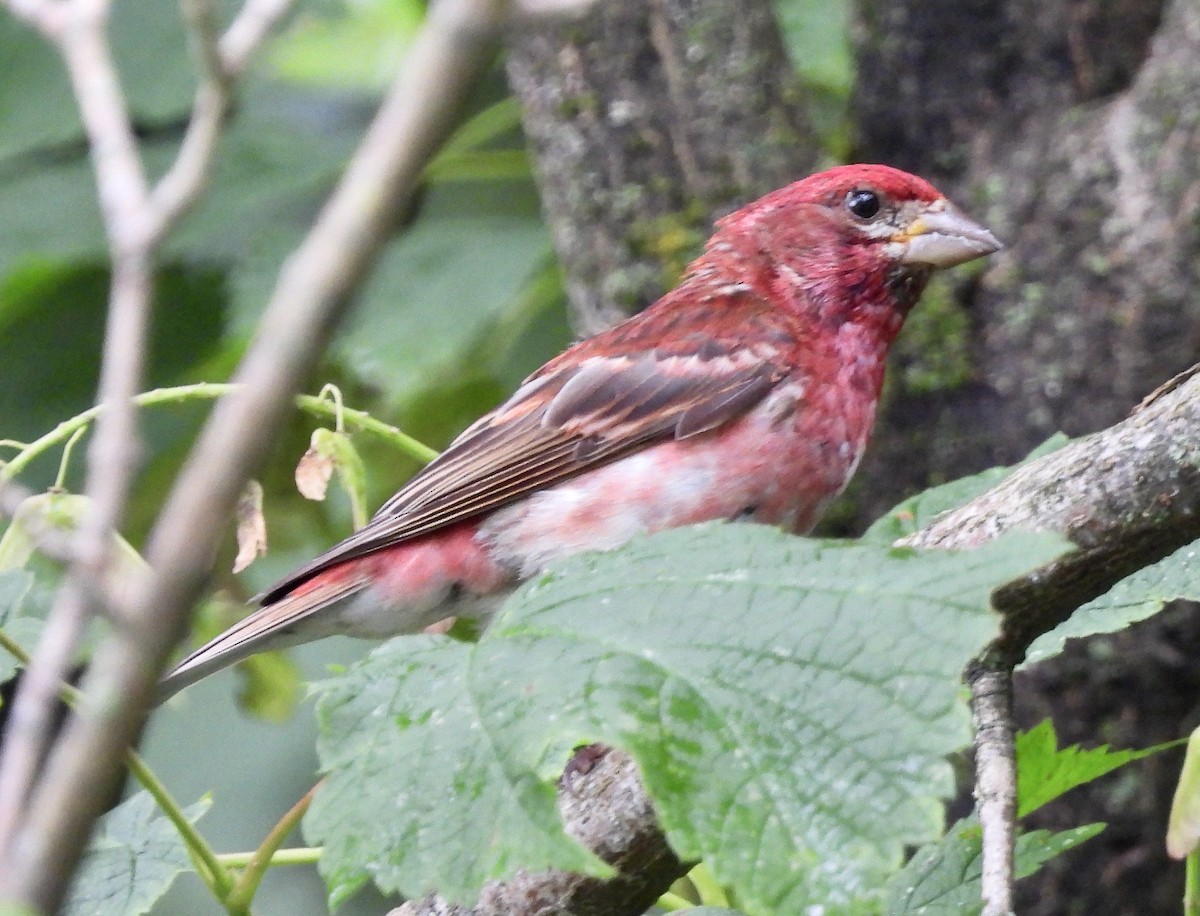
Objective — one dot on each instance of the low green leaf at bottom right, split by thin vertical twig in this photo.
(944, 879)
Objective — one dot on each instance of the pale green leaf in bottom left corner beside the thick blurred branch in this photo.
(133, 860)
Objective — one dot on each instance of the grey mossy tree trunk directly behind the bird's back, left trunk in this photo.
(647, 122)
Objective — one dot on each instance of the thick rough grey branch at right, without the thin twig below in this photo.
(1127, 496)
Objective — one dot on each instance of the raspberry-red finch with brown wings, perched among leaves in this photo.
(747, 393)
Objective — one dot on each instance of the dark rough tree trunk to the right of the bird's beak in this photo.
(1073, 130)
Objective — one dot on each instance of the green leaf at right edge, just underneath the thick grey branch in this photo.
(1135, 598)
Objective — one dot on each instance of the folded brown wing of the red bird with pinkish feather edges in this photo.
(561, 423)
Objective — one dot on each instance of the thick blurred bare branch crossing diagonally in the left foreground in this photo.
(314, 290)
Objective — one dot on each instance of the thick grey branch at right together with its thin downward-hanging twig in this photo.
(1126, 496)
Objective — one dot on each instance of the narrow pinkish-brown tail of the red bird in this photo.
(277, 626)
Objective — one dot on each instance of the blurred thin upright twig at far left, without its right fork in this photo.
(113, 451)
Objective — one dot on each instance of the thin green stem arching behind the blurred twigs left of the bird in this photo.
(209, 392)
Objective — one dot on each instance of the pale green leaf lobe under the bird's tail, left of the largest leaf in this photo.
(405, 830)
